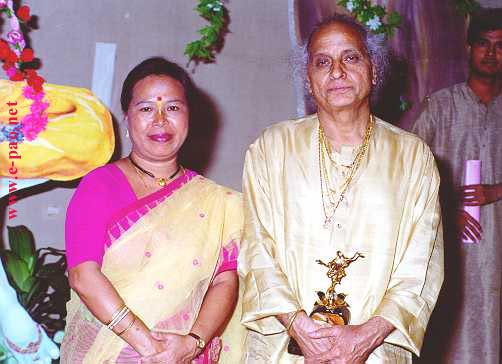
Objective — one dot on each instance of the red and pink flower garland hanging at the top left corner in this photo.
(16, 60)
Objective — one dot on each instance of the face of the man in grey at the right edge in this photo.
(486, 54)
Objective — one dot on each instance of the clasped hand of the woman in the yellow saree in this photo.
(173, 349)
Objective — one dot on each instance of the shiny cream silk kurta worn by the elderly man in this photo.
(390, 214)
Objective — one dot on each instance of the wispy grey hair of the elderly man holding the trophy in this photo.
(375, 45)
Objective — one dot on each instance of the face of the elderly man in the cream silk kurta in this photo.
(339, 69)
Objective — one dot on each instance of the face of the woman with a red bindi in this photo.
(158, 118)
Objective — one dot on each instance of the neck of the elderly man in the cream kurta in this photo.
(345, 127)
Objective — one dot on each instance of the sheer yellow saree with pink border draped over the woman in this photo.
(165, 251)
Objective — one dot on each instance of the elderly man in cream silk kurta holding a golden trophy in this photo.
(345, 196)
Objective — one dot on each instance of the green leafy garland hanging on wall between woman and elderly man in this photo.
(211, 35)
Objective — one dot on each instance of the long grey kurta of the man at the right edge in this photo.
(458, 127)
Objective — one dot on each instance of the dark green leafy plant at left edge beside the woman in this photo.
(38, 276)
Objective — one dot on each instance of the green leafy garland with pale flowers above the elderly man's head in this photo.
(373, 16)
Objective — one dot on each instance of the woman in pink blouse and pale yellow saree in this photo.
(151, 245)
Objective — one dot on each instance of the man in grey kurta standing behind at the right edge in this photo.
(460, 123)
